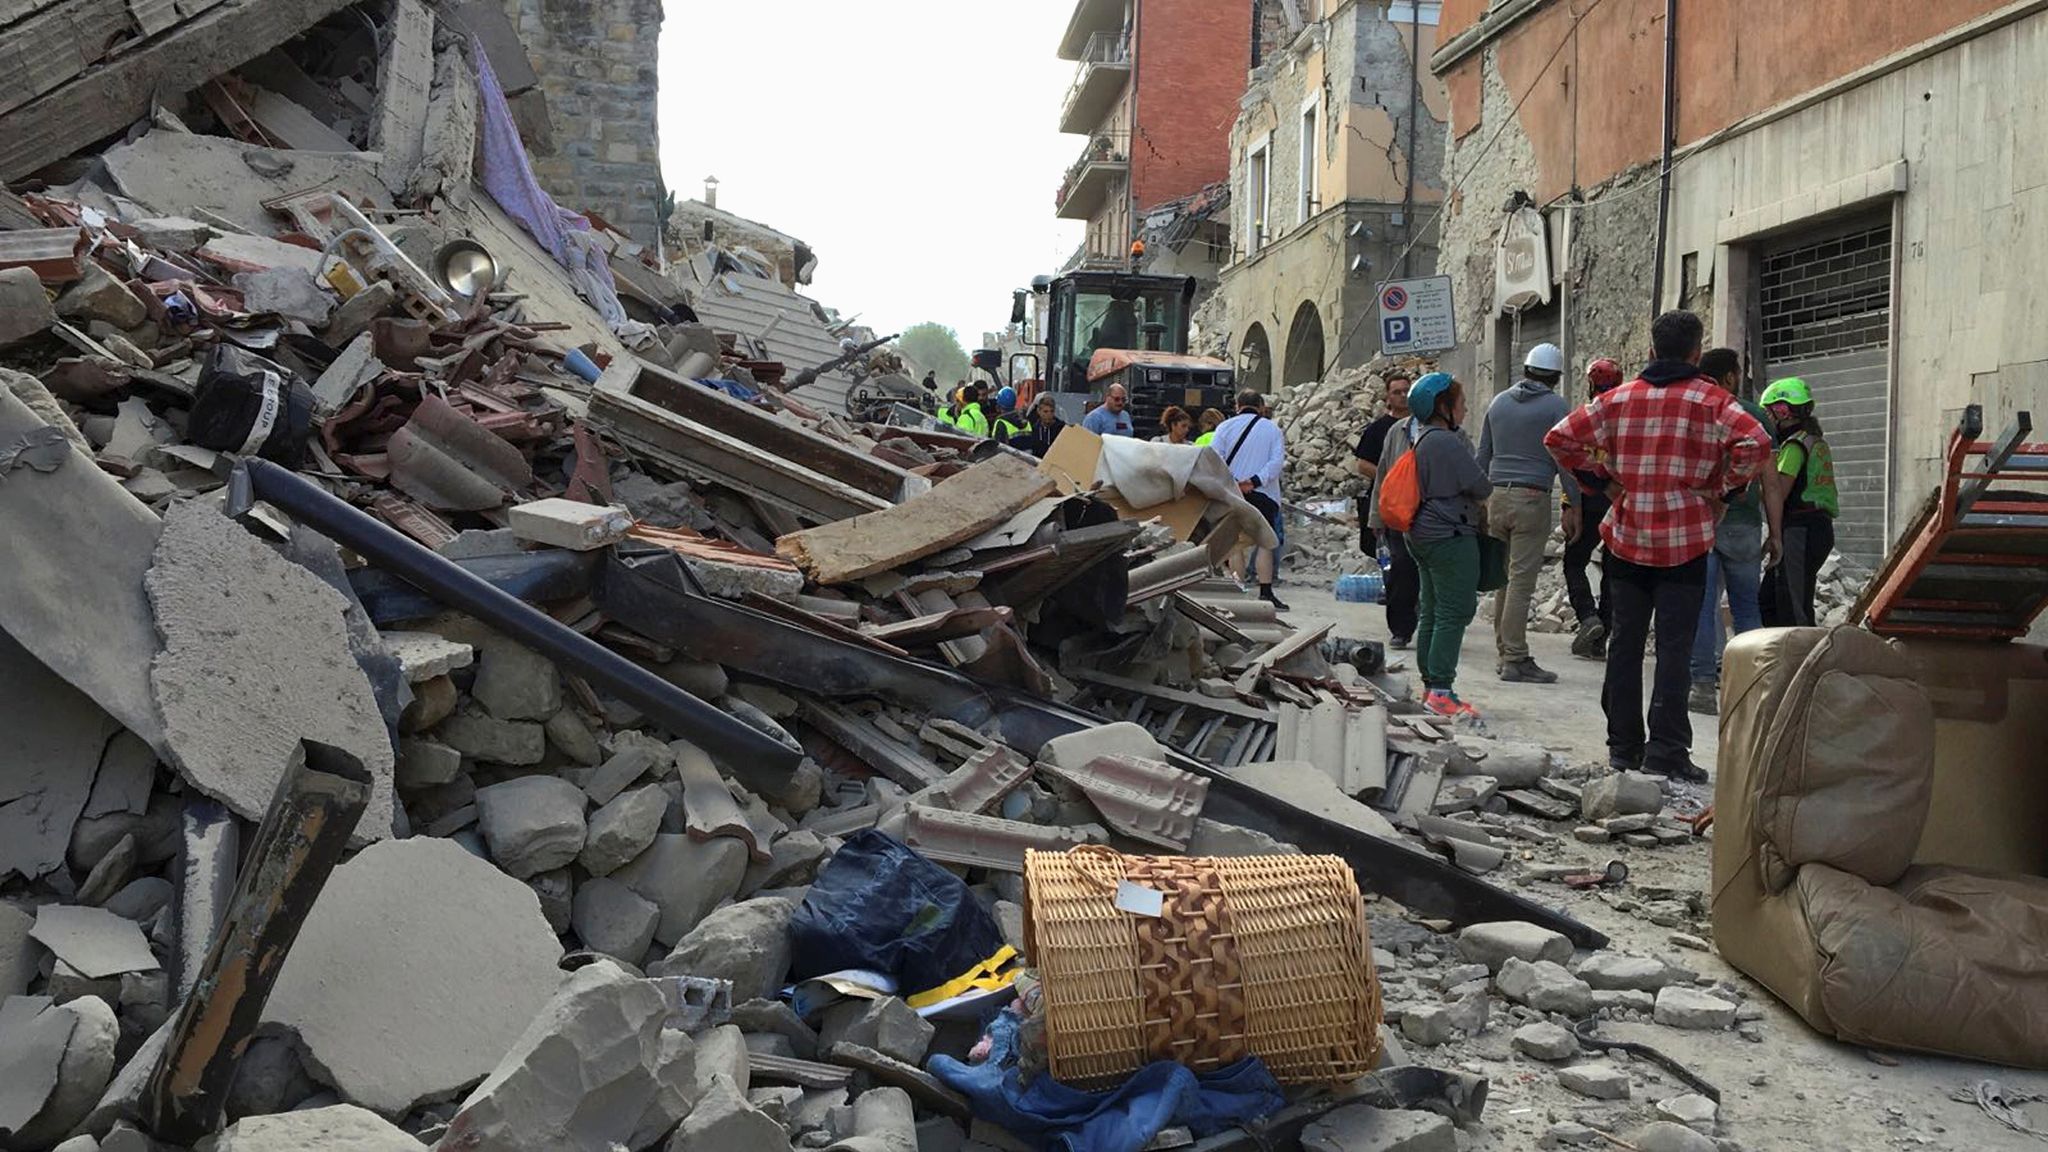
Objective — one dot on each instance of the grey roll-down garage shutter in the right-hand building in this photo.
(1826, 319)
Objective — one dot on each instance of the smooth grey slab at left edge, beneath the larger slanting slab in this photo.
(54, 745)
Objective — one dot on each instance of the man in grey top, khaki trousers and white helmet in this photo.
(1519, 513)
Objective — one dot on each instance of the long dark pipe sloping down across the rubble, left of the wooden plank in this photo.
(728, 739)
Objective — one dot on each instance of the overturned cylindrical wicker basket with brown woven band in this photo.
(1250, 956)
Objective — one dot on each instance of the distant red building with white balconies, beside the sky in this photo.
(1154, 95)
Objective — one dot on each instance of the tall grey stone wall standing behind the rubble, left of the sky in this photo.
(597, 63)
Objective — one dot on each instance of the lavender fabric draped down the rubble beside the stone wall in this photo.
(509, 177)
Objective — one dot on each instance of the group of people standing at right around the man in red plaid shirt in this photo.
(1689, 491)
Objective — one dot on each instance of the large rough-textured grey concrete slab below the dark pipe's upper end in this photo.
(253, 665)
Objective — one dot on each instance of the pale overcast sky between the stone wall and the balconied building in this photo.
(914, 145)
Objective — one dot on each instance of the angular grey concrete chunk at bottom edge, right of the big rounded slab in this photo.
(579, 1079)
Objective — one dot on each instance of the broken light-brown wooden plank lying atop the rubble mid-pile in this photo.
(955, 511)
